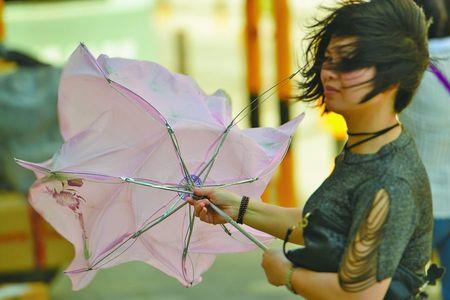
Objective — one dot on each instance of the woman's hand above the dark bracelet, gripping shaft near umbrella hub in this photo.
(228, 202)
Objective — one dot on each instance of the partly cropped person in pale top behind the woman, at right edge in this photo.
(430, 127)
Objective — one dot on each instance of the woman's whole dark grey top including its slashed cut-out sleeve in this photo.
(376, 213)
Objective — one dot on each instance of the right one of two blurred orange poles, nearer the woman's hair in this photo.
(286, 179)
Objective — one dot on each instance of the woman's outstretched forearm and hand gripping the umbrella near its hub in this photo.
(272, 219)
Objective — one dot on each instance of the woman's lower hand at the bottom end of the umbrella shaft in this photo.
(276, 266)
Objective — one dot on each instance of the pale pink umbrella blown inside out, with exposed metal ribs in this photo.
(138, 138)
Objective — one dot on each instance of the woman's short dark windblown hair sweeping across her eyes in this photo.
(390, 35)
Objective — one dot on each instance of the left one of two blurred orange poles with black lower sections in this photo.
(252, 11)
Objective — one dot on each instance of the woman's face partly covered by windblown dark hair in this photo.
(344, 90)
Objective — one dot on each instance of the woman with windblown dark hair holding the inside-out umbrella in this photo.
(367, 228)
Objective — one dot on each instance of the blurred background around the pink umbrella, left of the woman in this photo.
(241, 46)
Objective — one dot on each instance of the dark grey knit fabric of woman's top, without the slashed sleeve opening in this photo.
(346, 198)
